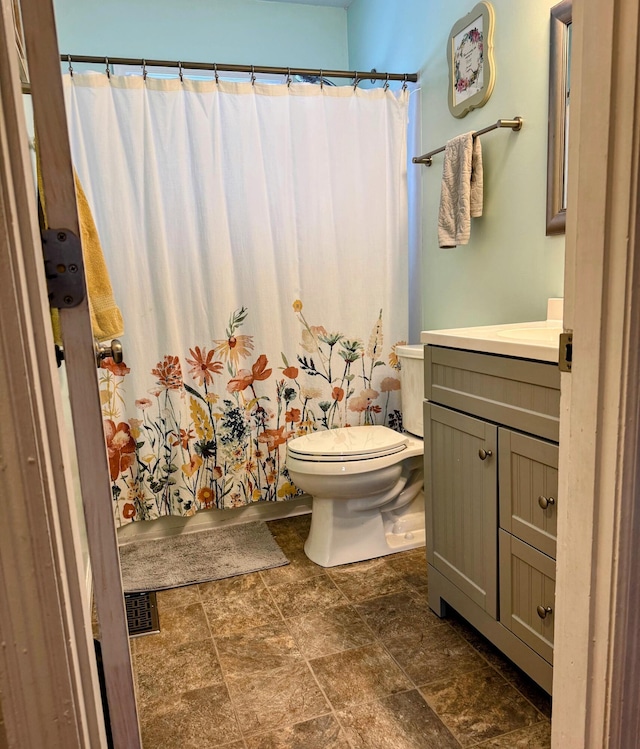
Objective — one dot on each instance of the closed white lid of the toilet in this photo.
(347, 443)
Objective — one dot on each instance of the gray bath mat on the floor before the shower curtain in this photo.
(199, 557)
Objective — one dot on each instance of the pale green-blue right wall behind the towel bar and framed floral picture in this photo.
(509, 267)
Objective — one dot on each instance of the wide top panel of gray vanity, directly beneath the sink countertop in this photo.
(518, 393)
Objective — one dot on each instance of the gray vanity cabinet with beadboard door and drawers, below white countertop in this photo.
(491, 481)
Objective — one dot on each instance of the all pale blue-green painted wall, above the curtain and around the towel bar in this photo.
(509, 268)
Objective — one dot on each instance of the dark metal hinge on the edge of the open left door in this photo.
(63, 267)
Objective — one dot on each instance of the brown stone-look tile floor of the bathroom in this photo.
(301, 657)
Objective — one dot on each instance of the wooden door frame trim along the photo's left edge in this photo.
(48, 677)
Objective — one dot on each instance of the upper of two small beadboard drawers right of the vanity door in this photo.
(528, 470)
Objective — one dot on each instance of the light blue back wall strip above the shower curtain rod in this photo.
(251, 32)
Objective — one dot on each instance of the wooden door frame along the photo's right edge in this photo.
(596, 677)
